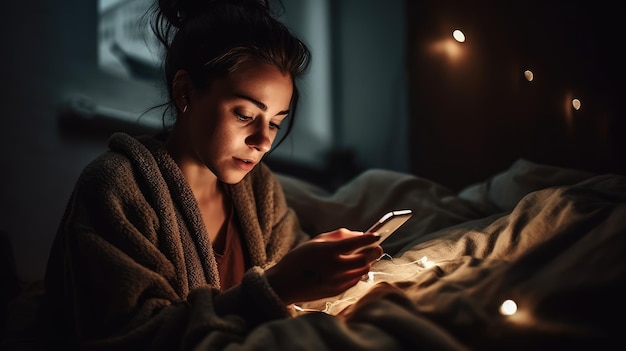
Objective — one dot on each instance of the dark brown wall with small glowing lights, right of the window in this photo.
(474, 116)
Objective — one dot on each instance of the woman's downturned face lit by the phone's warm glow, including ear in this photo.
(234, 122)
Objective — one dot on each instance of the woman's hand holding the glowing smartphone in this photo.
(324, 266)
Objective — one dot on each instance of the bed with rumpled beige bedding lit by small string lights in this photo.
(530, 258)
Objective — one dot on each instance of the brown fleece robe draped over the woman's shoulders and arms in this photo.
(131, 266)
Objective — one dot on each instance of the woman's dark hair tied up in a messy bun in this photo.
(211, 38)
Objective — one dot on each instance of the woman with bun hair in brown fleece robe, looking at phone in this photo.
(172, 242)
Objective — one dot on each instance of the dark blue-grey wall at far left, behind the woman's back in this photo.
(48, 55)
